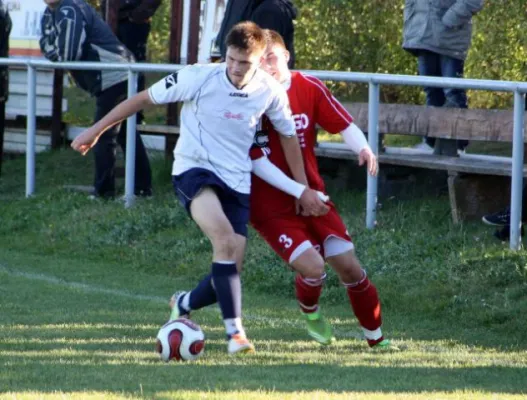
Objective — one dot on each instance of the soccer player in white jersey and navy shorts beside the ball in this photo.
(222, 105)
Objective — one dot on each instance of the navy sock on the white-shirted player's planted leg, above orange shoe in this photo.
(228, 289)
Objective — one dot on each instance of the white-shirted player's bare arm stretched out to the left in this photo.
(87, 139)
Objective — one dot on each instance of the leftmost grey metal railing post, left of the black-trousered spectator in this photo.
(31, 129)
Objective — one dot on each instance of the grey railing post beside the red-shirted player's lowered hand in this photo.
(373, 140)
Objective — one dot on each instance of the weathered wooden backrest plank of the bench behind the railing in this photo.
(448, 123)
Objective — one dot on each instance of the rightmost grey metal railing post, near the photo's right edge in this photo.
(517, 171)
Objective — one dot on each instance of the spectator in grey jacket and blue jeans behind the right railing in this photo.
(439, 33)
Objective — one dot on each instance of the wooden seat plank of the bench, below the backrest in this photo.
(429, 161)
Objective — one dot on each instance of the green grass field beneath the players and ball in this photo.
(84, 286)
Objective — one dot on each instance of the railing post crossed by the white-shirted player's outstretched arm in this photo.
(131, 125)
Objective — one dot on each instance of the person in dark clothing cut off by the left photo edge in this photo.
(5, 30)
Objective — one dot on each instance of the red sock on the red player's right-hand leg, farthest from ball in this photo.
(367, 308)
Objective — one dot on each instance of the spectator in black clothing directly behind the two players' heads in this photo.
(277, 15)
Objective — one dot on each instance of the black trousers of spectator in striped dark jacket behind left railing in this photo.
(105, 149)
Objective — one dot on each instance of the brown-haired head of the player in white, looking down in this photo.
(245, 50)
